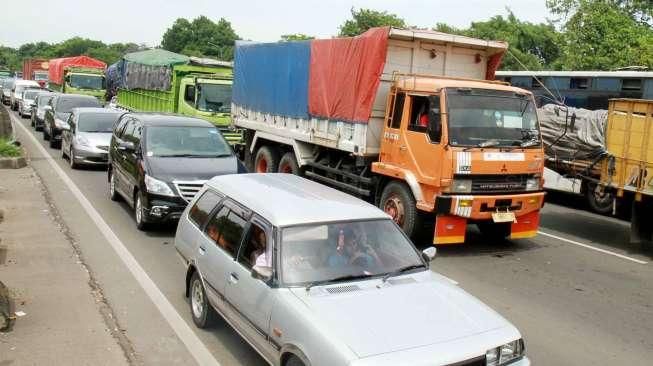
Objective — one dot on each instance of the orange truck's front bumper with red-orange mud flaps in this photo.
(454, 212)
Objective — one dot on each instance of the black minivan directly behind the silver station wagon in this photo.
(158, 162)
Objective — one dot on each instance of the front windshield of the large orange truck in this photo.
(485, 118)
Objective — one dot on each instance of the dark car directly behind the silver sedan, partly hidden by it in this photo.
(58, 111)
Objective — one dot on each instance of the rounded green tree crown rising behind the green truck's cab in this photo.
(201, 37)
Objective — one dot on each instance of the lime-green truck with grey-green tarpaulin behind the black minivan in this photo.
(161, 81)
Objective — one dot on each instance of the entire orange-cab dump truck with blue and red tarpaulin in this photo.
(410, 120)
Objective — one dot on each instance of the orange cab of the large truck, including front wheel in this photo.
(478, 160)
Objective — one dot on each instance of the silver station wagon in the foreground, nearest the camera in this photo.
(311, 276)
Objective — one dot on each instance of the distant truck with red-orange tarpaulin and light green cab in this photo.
(77, 75)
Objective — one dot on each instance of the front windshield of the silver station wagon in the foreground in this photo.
(323, 252)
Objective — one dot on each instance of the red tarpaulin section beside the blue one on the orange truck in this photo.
(345, 74)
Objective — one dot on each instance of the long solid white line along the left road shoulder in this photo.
(194, 345)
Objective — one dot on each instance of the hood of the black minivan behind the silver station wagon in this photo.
(190, 169)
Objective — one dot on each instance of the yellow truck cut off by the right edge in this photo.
(629, 168)
